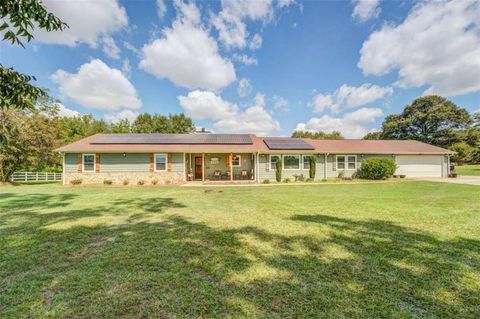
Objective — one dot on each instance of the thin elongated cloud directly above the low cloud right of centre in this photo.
(349, 97)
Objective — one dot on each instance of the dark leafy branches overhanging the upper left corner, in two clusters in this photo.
(19, 18)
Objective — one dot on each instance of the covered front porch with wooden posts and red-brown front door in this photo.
(220, 167)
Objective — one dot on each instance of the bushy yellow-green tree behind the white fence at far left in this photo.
(30, 137)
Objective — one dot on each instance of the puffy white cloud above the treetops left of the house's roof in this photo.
(98, 86)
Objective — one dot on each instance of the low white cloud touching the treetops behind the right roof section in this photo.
(351, 125)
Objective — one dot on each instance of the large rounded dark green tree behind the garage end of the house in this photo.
(430, 119)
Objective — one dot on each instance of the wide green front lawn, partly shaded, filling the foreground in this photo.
(387, 250)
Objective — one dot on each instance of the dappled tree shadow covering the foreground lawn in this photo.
(178, 268)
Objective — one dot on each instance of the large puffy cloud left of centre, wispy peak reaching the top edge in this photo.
(187, 55)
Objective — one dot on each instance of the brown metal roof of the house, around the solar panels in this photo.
(89, 144)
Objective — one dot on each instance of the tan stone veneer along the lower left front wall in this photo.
(118, 178)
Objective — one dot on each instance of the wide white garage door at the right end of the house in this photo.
(419, 165)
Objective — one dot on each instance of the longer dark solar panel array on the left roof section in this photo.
(174, 139)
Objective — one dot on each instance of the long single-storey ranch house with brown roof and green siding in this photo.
(179, 158)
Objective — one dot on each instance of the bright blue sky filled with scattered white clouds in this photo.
(264, 67)
